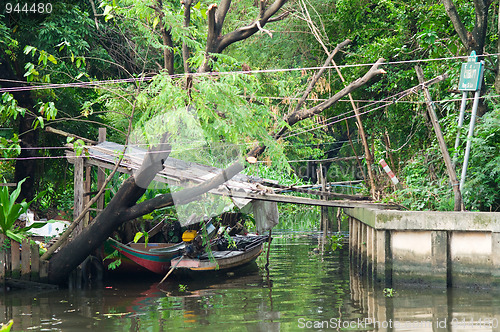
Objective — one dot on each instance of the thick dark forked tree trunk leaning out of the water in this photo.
(123, 207)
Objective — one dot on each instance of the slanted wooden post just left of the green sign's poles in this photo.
(442, 143)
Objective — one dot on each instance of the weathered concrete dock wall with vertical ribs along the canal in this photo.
(436, 249)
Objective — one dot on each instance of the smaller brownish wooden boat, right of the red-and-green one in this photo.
(247, 250)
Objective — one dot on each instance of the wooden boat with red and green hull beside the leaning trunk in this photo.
(154, 257)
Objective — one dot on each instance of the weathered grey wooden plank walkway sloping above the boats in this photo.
(241, 187)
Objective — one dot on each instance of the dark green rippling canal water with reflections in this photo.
(304, 290)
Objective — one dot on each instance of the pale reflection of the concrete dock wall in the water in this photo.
(425, 309)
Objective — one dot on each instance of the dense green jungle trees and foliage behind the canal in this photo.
(233, 71)
